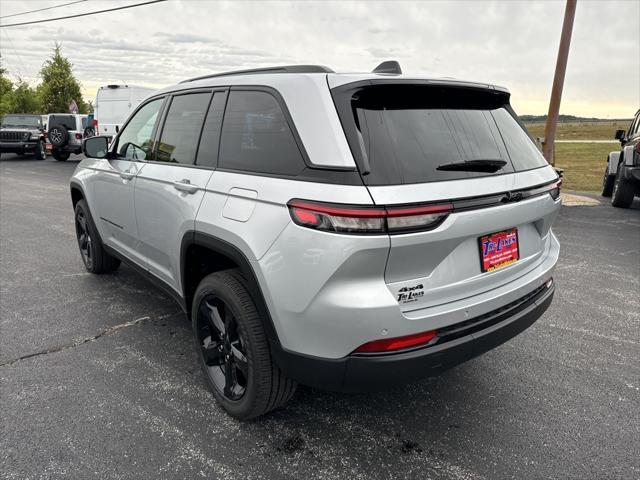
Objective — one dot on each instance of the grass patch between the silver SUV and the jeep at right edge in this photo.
(583, 164)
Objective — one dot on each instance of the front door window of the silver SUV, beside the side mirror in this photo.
(135, 141)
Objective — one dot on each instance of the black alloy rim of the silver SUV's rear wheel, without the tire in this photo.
(222, 347)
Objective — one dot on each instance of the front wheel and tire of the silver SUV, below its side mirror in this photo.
(95, 258)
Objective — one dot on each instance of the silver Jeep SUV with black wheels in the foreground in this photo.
(342, 231)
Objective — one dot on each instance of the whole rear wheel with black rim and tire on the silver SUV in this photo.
(233, 349)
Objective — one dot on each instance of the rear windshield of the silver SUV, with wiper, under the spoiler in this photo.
(403, 134)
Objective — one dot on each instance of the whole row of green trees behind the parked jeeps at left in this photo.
(57, 88)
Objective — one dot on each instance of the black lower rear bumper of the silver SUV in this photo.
(461, 342)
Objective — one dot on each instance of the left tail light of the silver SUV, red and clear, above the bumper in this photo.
(367, 220)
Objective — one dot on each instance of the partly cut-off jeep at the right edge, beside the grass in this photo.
(621, 179)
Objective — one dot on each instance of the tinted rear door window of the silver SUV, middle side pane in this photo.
(181, 131)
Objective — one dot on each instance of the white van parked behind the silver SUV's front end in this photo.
(113, 105)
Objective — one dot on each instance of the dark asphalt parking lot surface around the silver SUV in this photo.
(99, 378)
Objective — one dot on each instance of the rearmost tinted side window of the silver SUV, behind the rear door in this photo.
(256, 136)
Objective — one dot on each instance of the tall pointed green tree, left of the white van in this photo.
(59, 85)
